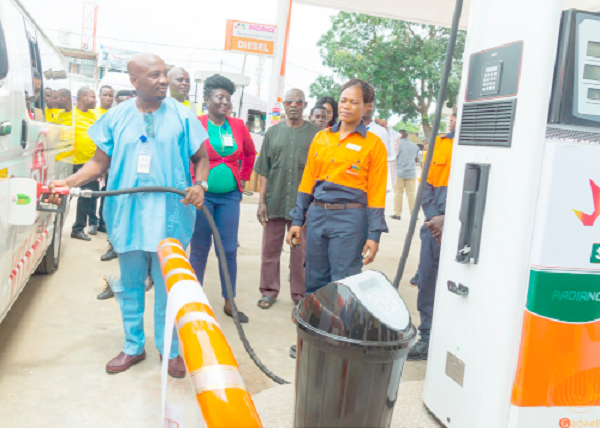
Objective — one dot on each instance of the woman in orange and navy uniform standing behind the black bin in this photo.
(345, 179)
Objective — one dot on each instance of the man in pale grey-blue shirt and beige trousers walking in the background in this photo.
(406, 171)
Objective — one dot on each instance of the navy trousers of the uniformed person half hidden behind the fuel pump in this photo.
(427, 277)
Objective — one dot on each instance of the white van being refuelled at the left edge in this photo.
(31, 146)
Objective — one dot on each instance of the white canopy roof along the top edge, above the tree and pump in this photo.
(437, 12)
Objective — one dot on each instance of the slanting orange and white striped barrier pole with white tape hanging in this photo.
(220, 390)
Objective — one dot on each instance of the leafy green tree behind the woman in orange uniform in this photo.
(403, 61)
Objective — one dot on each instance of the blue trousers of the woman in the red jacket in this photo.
(225, 209)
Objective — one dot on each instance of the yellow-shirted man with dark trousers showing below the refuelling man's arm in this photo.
(83, 151)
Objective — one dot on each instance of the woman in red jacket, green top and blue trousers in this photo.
(228, 143)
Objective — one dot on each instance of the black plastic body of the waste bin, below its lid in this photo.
(346, 387)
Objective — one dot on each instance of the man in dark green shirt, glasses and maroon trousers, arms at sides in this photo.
(281, 163)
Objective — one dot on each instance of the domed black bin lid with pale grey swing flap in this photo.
(361, 308)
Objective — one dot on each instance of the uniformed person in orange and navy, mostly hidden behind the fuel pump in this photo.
(434, 207)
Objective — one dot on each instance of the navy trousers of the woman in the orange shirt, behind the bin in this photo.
(334, 244)
